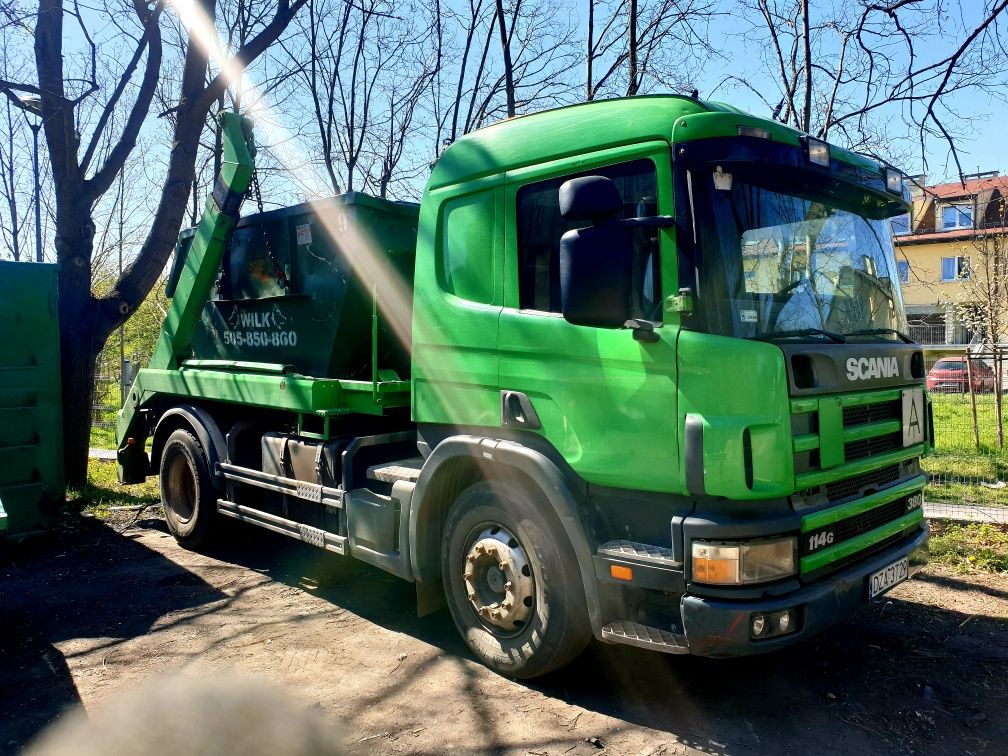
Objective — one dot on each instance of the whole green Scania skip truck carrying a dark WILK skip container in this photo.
(634, 369)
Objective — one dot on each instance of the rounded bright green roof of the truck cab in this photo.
(561, 133)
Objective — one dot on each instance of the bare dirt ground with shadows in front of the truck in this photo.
(91, 613)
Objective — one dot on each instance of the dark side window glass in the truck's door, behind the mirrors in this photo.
(540, 228)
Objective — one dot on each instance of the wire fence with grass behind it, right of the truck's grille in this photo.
(970, 464)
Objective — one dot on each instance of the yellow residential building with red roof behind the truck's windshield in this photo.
(934, 245)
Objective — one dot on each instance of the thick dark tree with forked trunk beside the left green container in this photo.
(85, 164)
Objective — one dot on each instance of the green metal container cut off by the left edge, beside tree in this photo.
(32, 470)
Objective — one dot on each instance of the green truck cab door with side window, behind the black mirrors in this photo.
(606, 402)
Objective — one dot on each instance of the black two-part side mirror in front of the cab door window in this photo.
(596, 263)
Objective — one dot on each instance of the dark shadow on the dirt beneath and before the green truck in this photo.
(901, 677)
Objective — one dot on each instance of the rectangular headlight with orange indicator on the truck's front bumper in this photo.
(743, 563)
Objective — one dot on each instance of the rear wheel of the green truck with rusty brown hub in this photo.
(188, 492)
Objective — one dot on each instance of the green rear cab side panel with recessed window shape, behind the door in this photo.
(457, 305)
